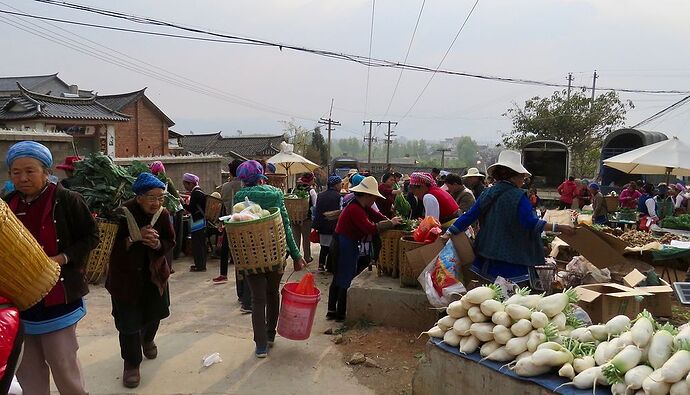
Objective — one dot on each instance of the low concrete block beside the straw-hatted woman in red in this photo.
(382, 301)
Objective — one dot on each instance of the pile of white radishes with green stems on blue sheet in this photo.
(536, 335)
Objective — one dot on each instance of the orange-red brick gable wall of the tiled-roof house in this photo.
(146, 134)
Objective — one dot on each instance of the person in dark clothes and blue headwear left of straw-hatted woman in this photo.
(328, 200)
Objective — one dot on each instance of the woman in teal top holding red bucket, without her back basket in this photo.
(264, 283)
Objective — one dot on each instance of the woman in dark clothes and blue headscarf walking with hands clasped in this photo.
(138, 274)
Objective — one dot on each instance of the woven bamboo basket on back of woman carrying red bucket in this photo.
(258, 246)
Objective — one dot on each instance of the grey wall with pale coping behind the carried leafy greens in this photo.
(208, 168)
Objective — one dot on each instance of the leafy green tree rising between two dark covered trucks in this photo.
(579, 122)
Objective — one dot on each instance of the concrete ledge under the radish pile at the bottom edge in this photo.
(440, 372)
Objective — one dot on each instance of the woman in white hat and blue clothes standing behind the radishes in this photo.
(509, 241)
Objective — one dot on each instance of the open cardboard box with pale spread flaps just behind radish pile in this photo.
(605, 301)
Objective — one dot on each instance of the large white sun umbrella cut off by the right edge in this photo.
(670, 157)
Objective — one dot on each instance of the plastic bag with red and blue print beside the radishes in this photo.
(440, 279)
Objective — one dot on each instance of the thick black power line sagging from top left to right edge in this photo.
(344, 56)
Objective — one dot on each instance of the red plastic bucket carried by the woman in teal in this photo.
(296, 313)
